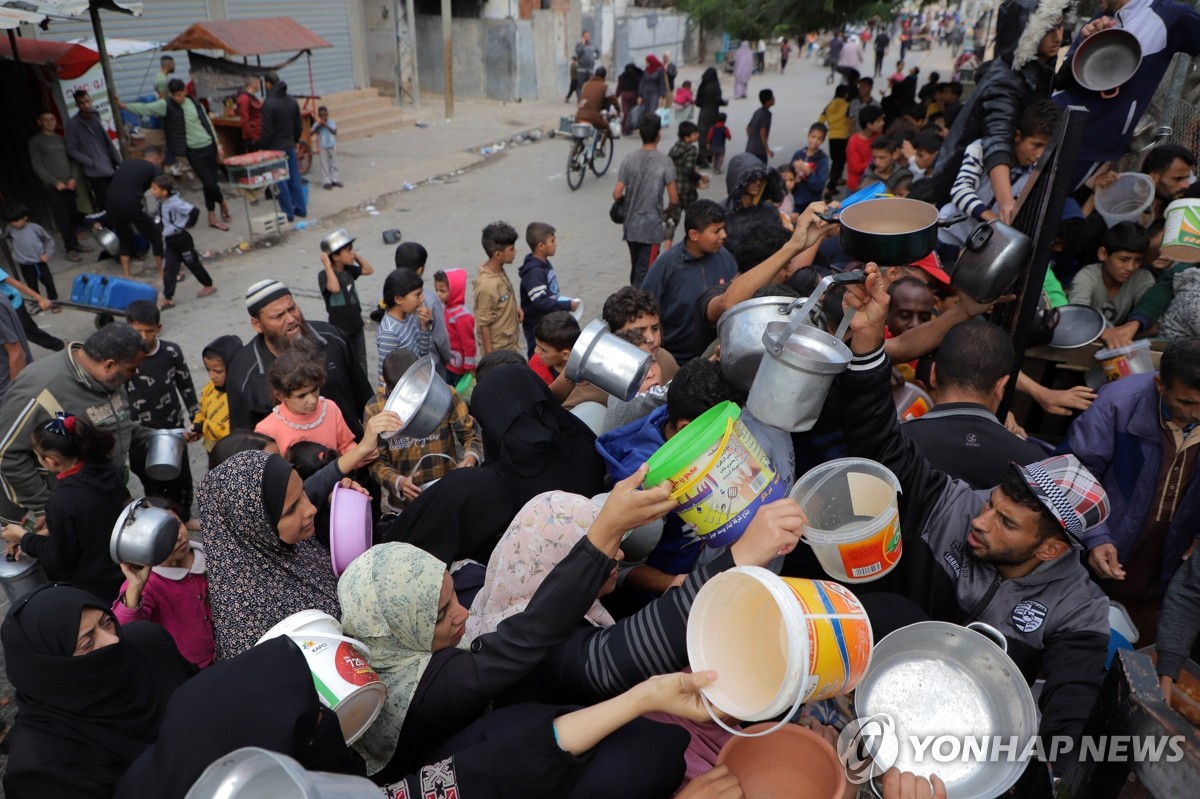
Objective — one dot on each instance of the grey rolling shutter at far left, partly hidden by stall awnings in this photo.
(161, 22)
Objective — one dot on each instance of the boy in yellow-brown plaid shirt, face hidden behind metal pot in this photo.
(400, 471)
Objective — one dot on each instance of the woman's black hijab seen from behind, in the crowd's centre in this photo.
(531, 441)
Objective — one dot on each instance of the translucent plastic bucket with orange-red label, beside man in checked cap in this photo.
(854, 519)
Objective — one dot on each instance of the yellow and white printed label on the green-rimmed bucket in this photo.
(741, 480)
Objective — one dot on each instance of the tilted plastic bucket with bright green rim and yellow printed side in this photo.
(719, 474)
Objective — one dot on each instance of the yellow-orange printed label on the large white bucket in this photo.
(839, 638)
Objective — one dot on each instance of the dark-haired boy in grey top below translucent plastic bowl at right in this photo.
(1115, 285)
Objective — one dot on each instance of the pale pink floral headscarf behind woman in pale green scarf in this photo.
(538, 539)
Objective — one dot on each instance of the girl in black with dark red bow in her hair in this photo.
(80, 515)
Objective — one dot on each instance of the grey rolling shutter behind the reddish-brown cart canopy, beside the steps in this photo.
(333, 69)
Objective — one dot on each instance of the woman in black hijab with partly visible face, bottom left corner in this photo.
(91, 694)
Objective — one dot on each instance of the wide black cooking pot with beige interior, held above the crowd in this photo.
(891, 232)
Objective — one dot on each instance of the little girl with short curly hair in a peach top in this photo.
(296, 382)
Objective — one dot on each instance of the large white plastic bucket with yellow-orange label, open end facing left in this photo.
(776, 642)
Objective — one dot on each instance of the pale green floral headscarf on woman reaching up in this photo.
(391, 594)
